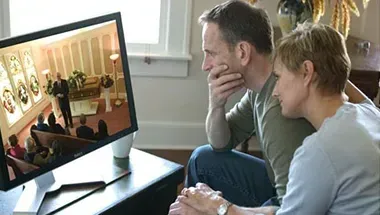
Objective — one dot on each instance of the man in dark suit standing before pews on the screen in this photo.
(61, 91)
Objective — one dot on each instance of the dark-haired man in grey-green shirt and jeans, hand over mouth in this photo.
(238, 43)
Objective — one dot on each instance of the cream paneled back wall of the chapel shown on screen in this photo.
(87, 50)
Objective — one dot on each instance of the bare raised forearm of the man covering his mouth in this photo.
(218, 132)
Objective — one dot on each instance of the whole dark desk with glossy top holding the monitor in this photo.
(149, 189)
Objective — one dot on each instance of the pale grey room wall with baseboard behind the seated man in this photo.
(171, 111)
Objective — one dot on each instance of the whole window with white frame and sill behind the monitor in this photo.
(155, 28)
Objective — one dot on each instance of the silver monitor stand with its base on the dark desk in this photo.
(82, 174)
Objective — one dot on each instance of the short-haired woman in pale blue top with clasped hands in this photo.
(336, 170)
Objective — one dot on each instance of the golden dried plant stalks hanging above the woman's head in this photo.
(340, 12)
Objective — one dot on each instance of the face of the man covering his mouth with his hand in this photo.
(216, 50)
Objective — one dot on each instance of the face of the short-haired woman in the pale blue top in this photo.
(289, 90)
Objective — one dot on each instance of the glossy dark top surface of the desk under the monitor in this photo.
(147, 171)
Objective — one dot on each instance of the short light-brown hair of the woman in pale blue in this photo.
(322, 45)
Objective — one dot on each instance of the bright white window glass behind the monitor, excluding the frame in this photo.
(140, 27)
